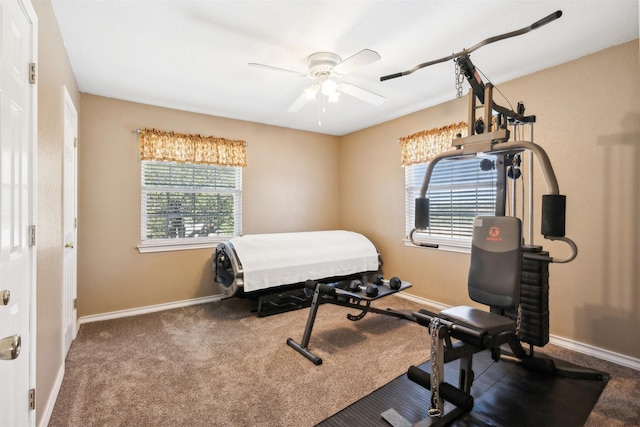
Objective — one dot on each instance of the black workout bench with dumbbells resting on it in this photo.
(354, 294)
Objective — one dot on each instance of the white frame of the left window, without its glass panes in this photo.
(186, 243)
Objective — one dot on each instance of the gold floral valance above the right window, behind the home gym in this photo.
(423, 146)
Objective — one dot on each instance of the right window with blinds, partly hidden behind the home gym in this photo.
(459, 191)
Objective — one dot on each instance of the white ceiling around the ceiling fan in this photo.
(194, 55)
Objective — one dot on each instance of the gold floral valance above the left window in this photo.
(185, 148)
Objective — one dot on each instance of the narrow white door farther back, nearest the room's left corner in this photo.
(70, 259)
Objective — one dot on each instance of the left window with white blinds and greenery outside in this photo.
(188, 205)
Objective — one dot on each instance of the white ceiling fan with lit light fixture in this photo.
(326, 69)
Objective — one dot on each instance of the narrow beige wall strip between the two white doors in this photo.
(54, 73)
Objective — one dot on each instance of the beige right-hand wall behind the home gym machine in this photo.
(588, 121)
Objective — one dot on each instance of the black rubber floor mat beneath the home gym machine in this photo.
(505, 394)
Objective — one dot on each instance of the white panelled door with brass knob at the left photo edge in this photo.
(17, 259)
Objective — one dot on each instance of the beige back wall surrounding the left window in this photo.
(290, 184)
